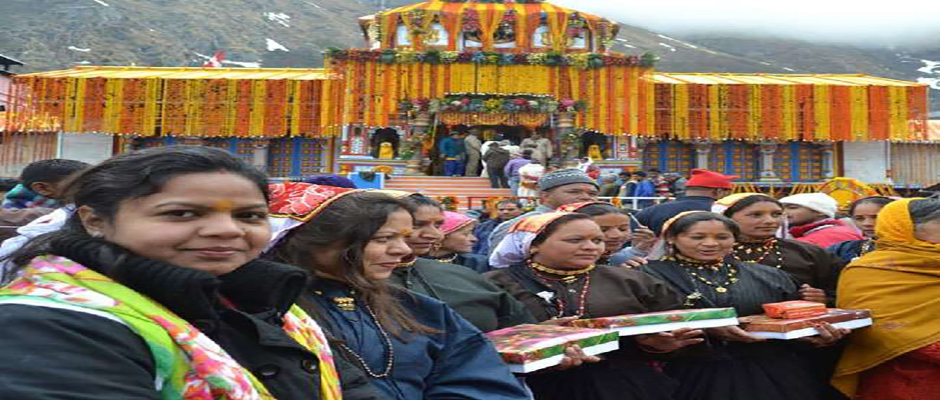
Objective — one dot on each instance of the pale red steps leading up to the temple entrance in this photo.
(465, 189)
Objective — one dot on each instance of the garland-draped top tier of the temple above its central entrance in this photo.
(489, 25)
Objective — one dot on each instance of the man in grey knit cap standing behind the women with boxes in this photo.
(557, 188)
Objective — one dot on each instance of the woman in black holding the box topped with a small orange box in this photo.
(735, 365)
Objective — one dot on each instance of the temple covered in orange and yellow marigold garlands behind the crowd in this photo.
(503, 70)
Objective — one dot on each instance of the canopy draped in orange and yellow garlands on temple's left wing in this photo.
(199, 102)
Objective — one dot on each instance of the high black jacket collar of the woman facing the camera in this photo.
(255, 287)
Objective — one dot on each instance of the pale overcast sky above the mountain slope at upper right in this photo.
(858, 22)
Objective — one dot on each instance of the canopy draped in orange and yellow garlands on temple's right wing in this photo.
(780, 107)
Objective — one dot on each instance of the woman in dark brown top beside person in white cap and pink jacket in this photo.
(762, 241)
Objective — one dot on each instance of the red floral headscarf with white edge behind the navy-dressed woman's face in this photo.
(294, 203)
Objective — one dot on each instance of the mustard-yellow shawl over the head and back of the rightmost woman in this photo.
(898, 282)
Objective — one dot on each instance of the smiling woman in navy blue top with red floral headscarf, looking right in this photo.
(411, 346)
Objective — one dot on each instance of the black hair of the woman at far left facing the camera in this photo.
(106, 186)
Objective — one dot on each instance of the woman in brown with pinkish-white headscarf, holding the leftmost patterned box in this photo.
(554, 273)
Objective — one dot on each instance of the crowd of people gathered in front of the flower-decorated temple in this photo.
(183, 273)
